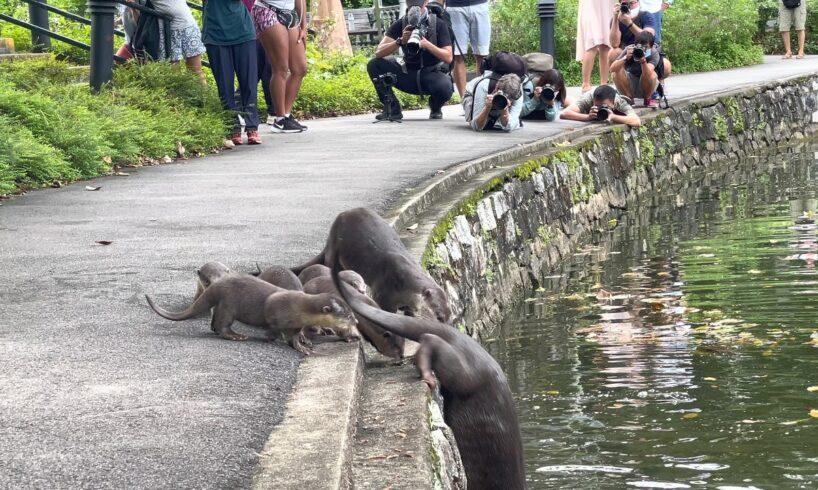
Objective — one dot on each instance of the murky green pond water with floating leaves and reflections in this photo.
(679, 350)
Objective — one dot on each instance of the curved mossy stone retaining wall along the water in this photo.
(499, 242)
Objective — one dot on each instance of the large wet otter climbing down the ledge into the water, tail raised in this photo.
(477, 401)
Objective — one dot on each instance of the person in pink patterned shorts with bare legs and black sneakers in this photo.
(281, 26)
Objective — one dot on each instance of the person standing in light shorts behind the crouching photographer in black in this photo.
(471, 24)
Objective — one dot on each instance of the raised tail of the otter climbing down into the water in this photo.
(405, 326)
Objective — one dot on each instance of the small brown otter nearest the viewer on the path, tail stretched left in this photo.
(257, 303)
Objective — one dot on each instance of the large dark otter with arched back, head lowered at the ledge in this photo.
(362, 241)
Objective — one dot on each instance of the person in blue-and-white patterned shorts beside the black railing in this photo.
(185, 36)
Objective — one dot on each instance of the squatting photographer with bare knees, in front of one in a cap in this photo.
(639, 69)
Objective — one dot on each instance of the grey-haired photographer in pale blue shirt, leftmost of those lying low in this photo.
(491, 103)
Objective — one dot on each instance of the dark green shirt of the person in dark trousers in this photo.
(226, 22)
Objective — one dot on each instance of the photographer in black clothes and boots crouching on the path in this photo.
(427, 48)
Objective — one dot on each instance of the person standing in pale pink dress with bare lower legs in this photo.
(593, 38)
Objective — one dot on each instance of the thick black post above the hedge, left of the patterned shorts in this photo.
(102, 42)
